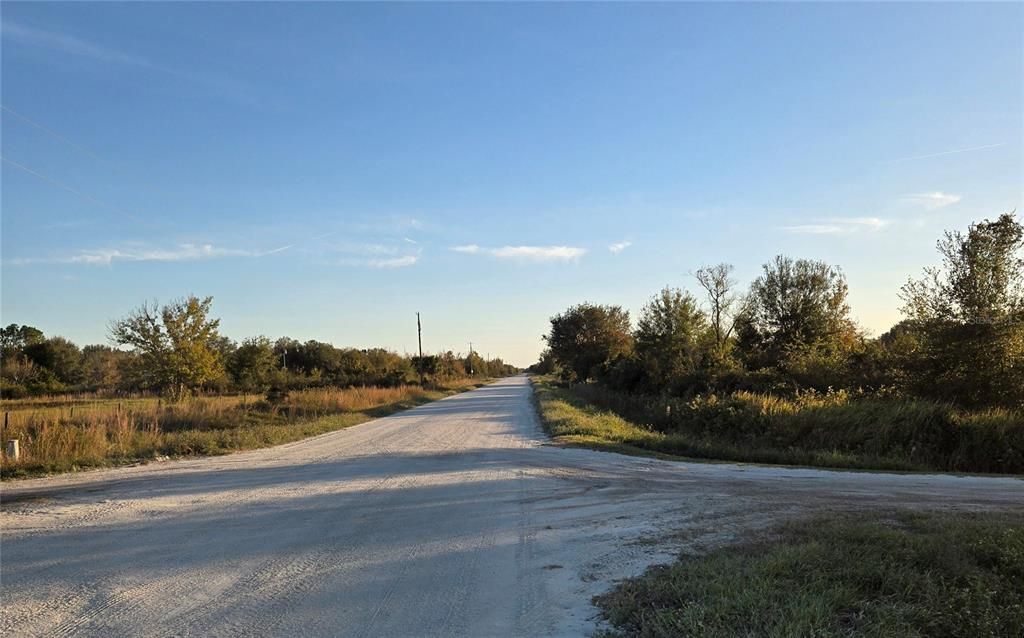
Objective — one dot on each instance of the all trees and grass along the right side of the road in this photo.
(783, 374)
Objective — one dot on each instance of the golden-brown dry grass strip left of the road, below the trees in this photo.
(60, 435)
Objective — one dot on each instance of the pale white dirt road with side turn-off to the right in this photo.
(452, 520)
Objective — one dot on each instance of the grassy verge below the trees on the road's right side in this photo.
(835, 431)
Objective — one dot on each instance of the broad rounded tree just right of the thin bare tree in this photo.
(793, 308)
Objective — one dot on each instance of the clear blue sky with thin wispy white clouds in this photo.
(326, 171)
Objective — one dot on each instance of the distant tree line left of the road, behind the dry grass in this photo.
(177, 350)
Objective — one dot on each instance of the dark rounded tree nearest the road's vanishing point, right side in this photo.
(586, 338)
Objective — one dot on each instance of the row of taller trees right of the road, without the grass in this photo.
(961, 341)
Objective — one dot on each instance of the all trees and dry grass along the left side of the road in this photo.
(180, 389)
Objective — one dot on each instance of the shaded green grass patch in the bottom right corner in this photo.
(898, 575)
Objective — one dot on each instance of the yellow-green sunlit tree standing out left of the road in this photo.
(177, 345)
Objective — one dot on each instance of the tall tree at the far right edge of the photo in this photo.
(970, 316)
